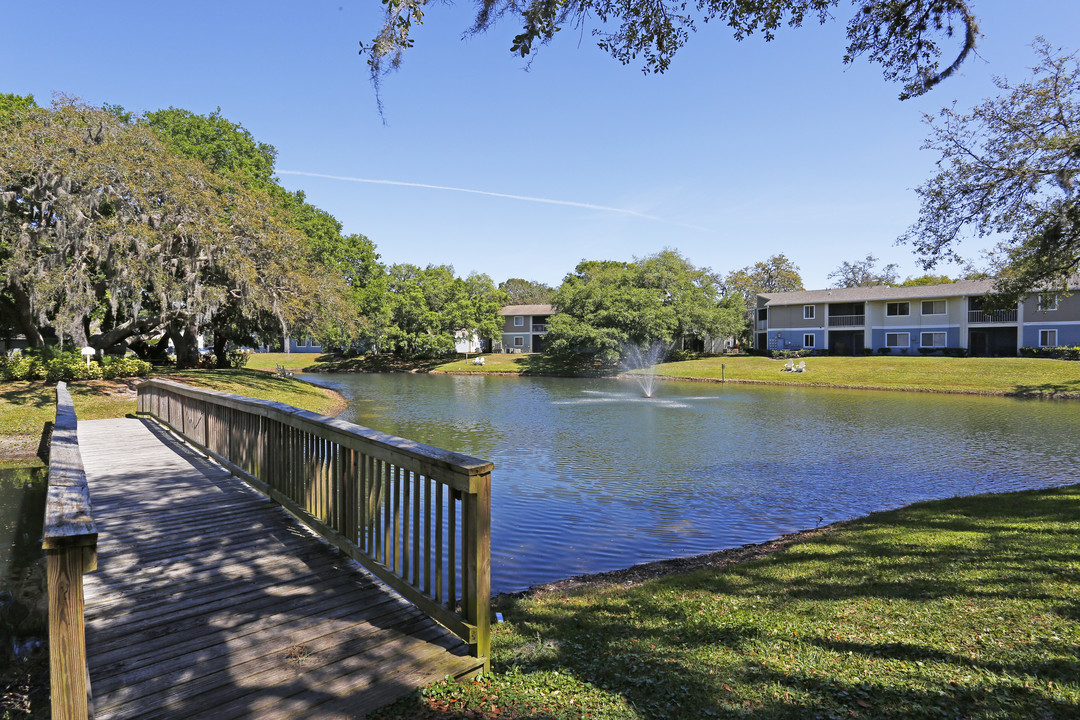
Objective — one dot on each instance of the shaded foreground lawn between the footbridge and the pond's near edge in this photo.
(957, 609)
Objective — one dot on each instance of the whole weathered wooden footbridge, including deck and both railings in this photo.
(227, 581)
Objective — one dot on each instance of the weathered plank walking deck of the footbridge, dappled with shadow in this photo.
(211, 602)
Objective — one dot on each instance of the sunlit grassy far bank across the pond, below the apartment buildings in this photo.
(995, 376)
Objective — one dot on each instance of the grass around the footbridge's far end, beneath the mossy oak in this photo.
(28, 407)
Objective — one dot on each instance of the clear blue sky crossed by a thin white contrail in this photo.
(740, 152)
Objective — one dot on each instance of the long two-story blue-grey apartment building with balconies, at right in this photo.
(848, 320)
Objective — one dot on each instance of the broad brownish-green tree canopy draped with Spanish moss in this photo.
(111, 236)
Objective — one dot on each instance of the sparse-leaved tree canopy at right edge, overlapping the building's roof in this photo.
(1009, 171)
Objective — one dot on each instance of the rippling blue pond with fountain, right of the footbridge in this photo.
(591, 477)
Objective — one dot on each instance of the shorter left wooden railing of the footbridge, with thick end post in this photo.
(71, 545)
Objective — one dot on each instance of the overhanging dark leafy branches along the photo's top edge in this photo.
(906, 37)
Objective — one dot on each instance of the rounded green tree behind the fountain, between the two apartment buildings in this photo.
(605, 307)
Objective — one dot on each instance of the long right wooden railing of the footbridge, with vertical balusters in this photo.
(416, 517)
